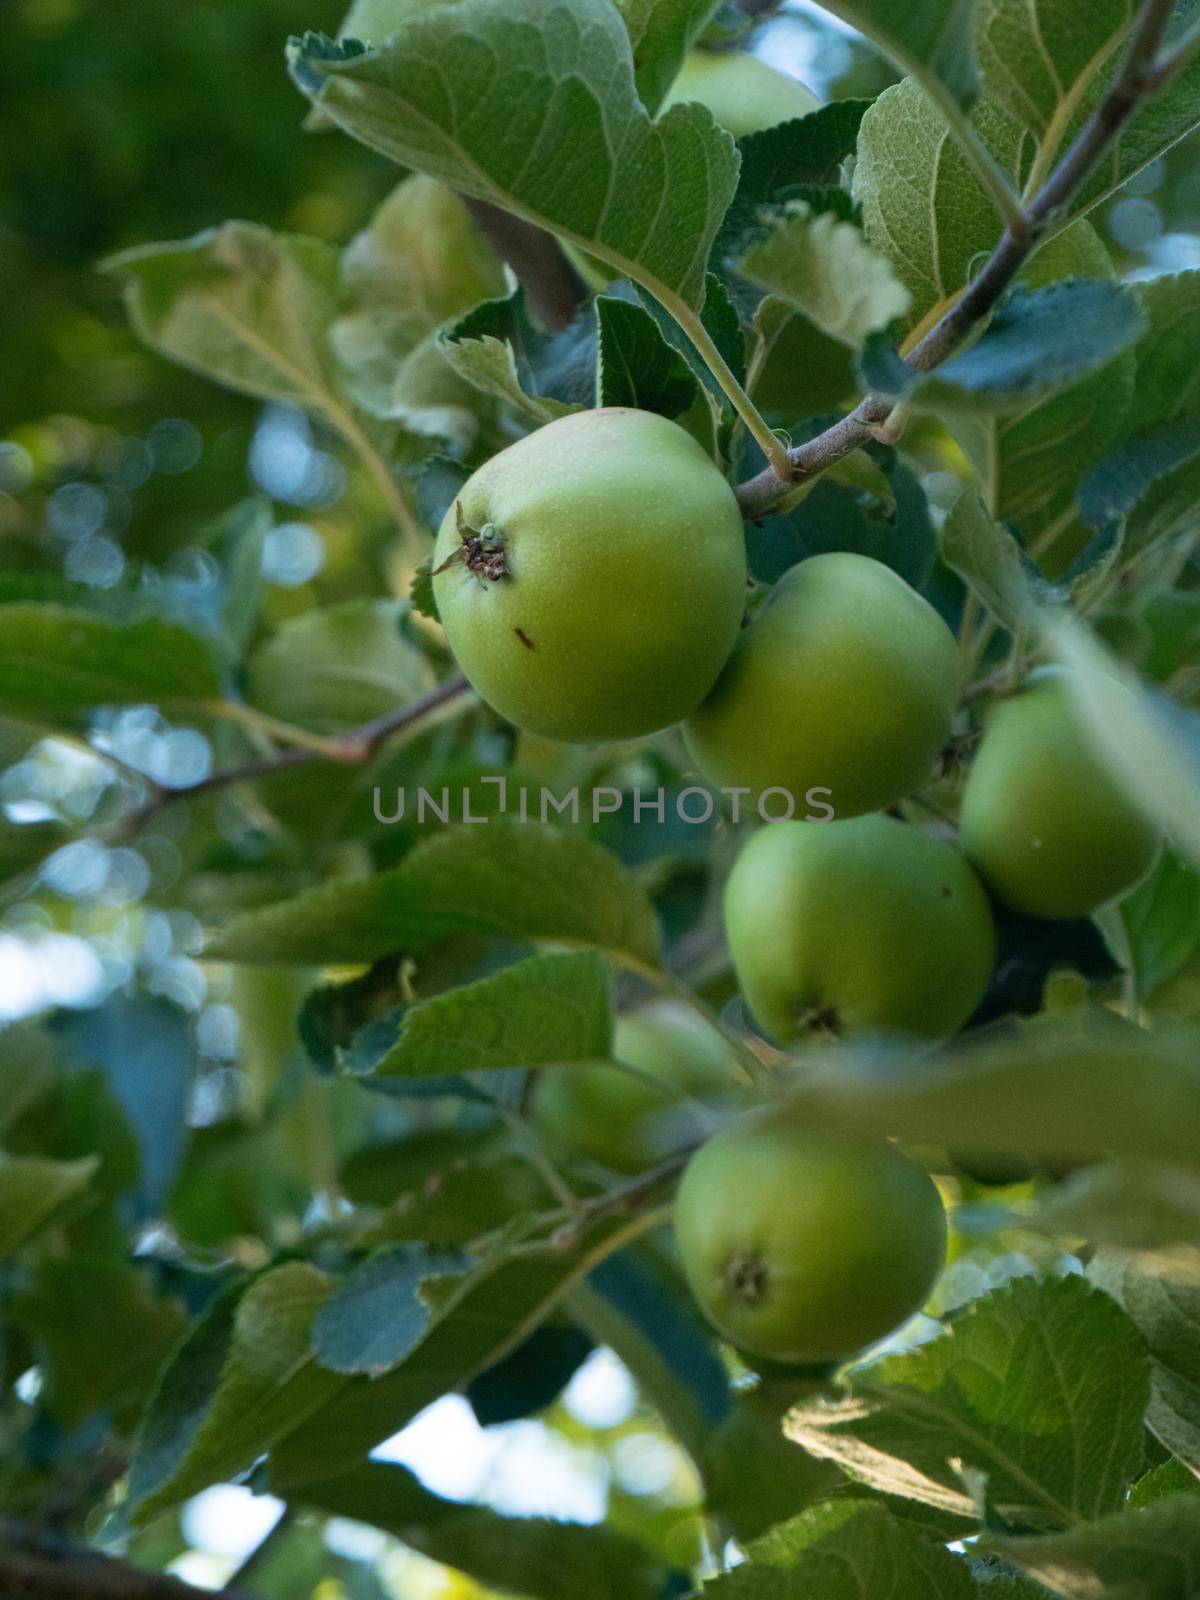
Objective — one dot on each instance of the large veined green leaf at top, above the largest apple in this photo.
(582, 159)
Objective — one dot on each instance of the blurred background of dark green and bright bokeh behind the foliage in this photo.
(127, 122)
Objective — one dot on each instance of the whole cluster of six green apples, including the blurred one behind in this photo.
(593, 585)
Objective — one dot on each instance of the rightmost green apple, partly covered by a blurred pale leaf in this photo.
(1042, 820)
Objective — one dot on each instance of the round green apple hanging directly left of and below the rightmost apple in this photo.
(860, 926)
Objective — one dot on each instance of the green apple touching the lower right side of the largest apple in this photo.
(844, 687)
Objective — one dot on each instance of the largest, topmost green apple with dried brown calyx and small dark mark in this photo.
(591, 578)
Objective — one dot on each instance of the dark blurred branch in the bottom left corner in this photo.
(42, 1567)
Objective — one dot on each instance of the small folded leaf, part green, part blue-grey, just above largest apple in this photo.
(503, 354)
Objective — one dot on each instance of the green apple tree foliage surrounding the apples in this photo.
(258, 1262)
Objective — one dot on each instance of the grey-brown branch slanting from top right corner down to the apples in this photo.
(1142, 76)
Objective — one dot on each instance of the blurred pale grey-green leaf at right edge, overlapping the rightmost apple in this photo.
(1142, 740)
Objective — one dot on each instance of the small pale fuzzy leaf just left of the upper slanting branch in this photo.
(826, 270)
